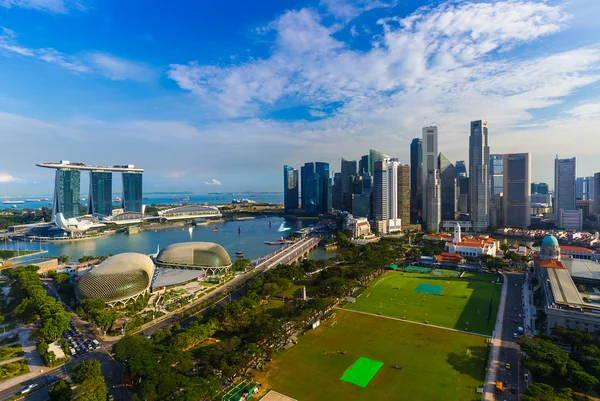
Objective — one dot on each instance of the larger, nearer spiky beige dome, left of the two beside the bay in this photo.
(117, 280)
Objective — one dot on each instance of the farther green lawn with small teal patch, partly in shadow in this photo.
(463, 303)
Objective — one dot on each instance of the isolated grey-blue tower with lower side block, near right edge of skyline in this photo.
(565, 171)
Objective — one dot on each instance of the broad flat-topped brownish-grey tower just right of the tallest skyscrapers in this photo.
(517, 190)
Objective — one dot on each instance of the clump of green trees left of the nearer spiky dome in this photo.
(33, 303)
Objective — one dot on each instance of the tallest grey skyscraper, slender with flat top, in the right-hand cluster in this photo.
(479, 166)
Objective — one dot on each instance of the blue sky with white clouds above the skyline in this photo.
(217, 96)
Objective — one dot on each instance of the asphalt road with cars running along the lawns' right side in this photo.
(509, 352)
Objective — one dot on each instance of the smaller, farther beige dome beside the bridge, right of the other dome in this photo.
(195, 255)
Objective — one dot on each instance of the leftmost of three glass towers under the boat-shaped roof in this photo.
(66, 193)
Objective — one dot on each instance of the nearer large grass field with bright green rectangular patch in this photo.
(434, 362)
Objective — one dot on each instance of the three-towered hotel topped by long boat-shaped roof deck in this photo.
(67, 188)
